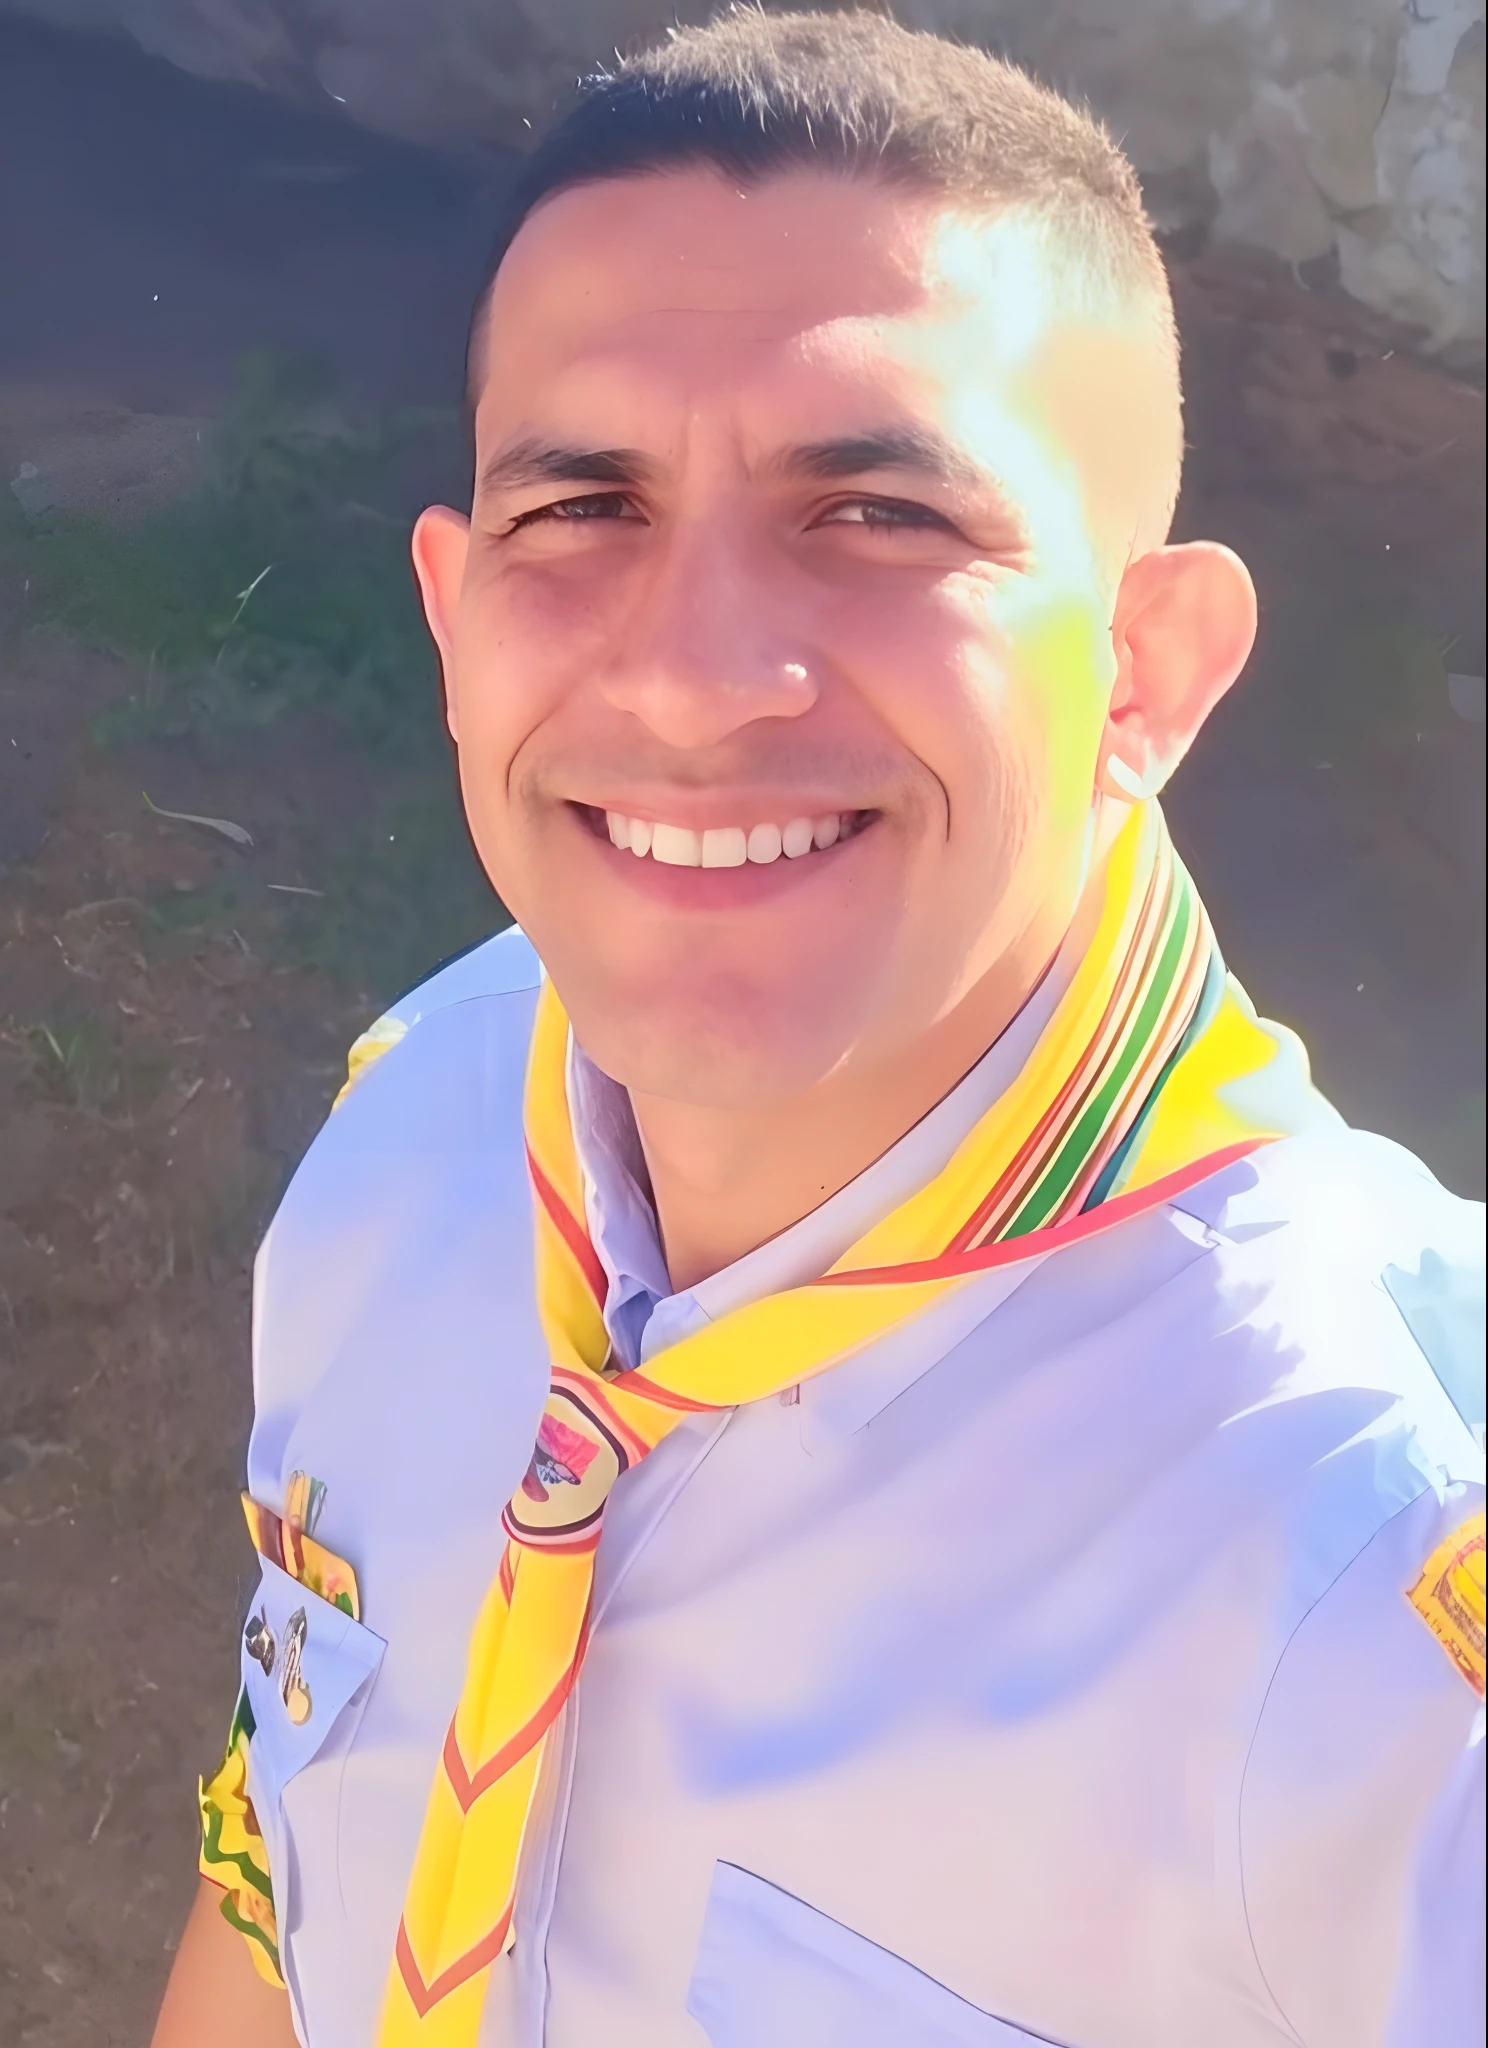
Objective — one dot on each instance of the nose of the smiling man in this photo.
(703, 650)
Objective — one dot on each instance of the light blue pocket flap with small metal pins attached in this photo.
(304, 1662)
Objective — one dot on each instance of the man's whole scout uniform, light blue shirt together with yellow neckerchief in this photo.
(1065, 1627)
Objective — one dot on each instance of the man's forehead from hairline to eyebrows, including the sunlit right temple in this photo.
(683, 314)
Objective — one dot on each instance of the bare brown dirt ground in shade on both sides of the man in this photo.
(163, 1064)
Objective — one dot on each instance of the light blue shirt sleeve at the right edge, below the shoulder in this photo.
(1362, 1820)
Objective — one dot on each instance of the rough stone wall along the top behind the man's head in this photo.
(1340, 134)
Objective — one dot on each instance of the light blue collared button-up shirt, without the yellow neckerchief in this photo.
(1041, 1674)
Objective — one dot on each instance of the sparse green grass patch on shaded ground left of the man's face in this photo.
(281, 587)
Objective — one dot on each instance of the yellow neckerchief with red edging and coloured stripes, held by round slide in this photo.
(1121, 1107)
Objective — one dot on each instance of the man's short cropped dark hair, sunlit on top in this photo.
(754, 93)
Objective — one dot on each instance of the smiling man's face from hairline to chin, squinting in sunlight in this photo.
(797, 523)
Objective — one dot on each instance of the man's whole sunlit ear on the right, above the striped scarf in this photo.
(1184, 628)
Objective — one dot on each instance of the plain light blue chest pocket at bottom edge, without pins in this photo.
(771, 1969)
